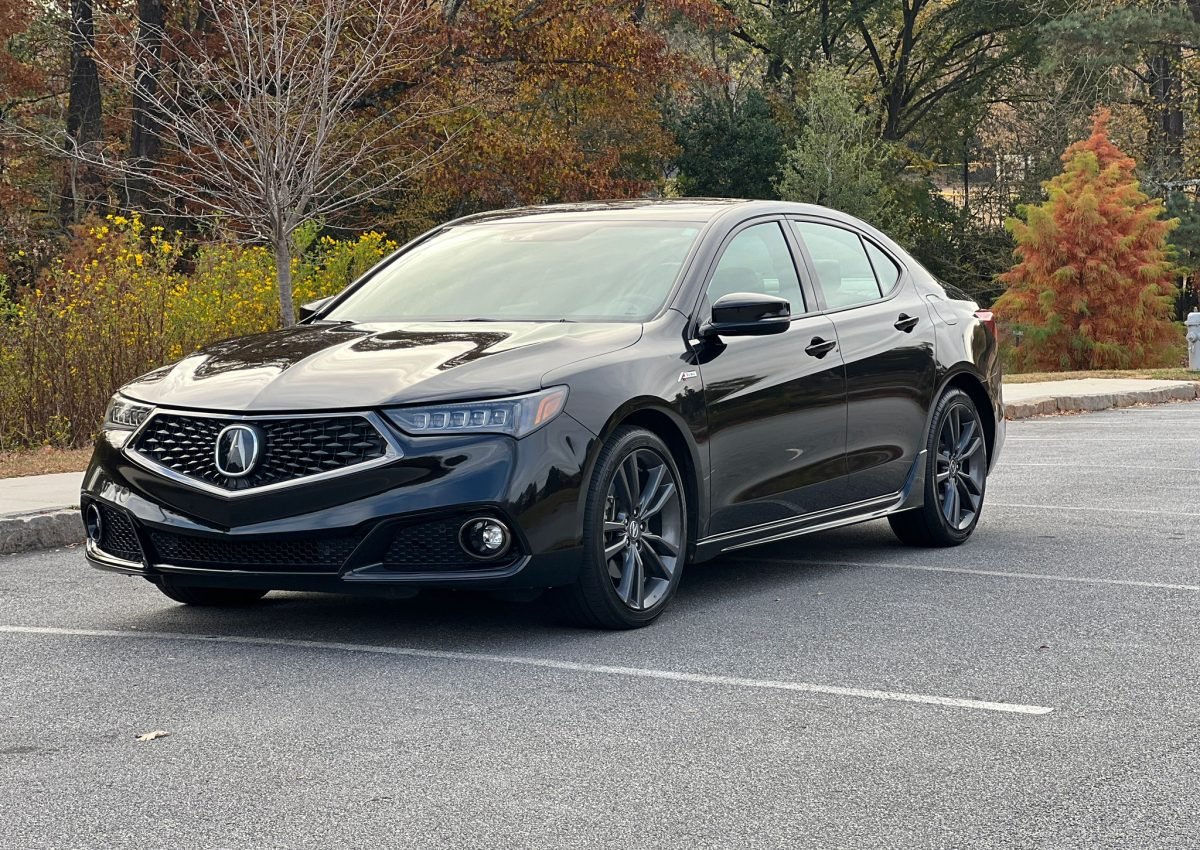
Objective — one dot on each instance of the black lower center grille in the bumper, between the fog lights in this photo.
(319, 555)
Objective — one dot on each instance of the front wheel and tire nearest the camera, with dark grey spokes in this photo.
(633, 558)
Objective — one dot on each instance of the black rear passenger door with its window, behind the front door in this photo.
(887, 346)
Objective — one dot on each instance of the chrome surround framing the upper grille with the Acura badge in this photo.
(393, 451)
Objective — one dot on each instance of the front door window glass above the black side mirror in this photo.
(758, 261)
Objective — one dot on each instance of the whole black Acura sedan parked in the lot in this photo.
(583, 398)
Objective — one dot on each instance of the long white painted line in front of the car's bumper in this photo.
(554, 665)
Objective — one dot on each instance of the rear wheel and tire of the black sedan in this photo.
(956, 477)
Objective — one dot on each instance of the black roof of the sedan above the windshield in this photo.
(646, 209)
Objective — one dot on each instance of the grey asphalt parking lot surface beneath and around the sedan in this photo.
(1036, 689)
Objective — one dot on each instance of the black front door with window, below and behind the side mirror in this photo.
(776, 404)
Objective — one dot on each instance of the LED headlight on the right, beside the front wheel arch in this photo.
(515, 416)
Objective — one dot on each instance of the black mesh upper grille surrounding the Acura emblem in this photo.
(291, 448)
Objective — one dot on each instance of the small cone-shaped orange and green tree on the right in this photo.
(1094, 286)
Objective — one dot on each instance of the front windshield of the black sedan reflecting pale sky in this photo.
(545, 272)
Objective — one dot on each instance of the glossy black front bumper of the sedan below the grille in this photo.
(393, 525)
